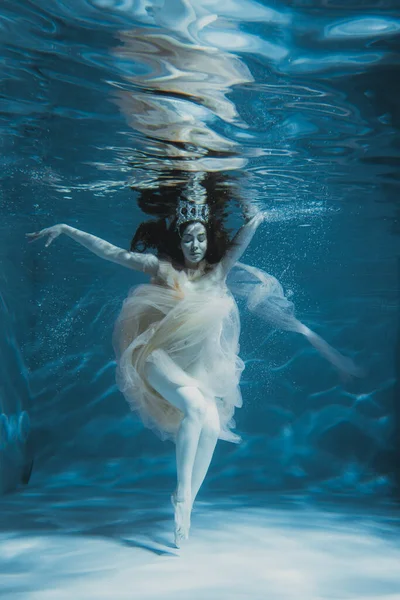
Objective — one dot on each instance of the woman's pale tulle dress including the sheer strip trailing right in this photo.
(188, 324)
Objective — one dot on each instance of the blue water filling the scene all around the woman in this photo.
(293, 107)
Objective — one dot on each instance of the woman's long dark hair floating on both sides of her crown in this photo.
(162, 235)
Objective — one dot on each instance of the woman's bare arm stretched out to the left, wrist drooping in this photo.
(147, 263)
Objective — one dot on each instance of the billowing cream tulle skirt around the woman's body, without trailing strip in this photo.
(186, 334)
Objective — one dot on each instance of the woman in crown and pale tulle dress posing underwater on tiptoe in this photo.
(176, 338)
